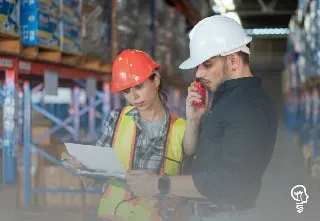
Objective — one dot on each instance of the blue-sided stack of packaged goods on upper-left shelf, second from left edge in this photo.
(53, 24)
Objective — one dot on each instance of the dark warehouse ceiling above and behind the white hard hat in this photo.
(253, 13)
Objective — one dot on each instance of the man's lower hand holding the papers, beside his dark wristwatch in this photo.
(143, 183)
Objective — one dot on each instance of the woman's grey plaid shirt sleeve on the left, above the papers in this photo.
(108, 129)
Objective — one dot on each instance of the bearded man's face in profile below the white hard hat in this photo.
(212, 72)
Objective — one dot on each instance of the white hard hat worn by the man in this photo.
(215, 36)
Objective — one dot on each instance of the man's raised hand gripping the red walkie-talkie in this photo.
(193, 113)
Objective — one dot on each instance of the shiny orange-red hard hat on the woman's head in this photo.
(131, 68)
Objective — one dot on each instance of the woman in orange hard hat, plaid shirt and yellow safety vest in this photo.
(145, 135)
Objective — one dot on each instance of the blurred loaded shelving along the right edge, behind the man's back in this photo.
(301, 77)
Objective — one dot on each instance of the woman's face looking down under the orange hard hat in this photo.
(143, 95)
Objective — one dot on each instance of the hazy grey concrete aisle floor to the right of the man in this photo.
(287, 169)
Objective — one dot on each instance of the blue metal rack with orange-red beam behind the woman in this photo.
(22, 76)
